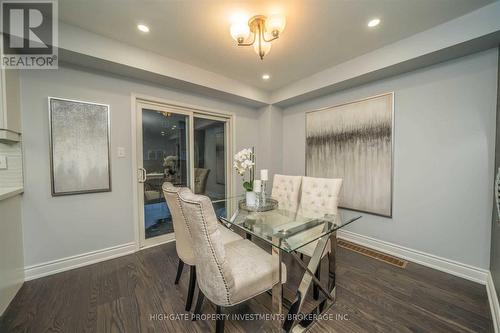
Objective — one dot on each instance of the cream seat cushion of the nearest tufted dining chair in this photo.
(252, 269)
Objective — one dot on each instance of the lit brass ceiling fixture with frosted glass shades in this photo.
(264, 30)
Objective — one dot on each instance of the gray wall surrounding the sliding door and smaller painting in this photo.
(56, 228)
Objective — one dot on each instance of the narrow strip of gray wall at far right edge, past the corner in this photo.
(495, 226)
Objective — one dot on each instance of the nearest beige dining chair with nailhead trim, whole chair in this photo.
(228, 273)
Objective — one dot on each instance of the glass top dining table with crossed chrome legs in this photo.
(307, 231)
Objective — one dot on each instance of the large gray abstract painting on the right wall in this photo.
(354, 142)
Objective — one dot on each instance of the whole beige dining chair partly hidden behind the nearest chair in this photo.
(183, 241)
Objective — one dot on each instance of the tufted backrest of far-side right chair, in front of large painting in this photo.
(319, 196)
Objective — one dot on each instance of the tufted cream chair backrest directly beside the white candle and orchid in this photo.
(286, 189)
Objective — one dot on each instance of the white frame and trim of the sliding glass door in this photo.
(177, 107)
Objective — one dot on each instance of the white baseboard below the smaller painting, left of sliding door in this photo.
(84, 259)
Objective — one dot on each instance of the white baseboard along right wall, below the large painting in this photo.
(445, 265)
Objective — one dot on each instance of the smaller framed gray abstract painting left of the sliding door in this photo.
(79, 147)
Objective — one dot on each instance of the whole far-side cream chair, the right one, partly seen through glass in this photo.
(319, 197)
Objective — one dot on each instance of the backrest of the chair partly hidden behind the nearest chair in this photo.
(183, 243)
